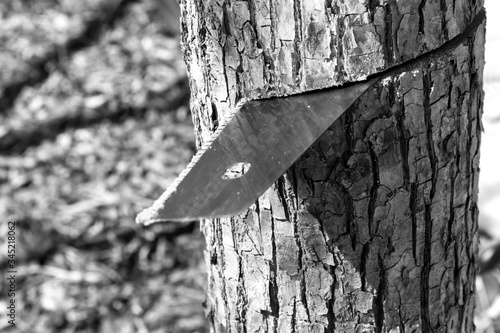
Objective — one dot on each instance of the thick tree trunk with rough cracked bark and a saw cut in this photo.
(374, 229)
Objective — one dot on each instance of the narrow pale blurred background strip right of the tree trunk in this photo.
(488, 283)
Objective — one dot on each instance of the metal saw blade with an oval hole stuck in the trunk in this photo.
(260, 141)
